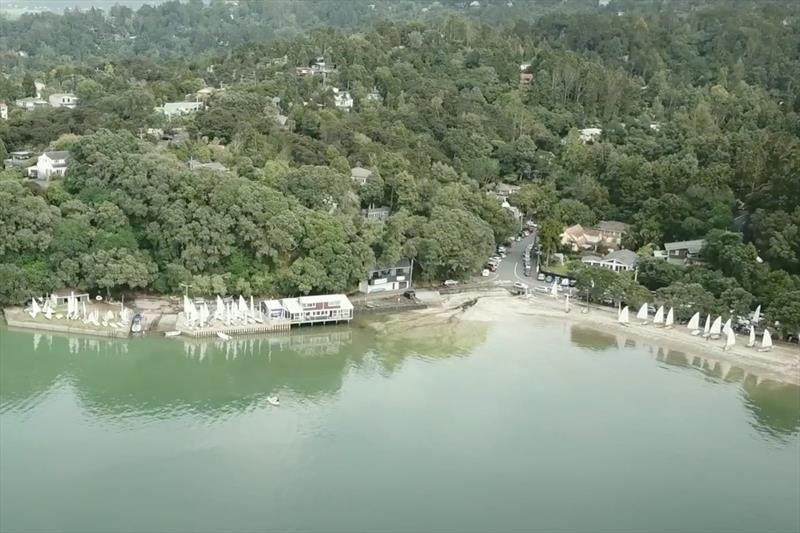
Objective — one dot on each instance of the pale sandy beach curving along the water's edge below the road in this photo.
(781, 364)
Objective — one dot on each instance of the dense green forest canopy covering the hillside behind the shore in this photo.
(697, 101)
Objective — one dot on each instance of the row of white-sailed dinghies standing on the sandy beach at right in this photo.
(711, 330)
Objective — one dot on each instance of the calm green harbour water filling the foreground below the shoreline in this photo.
(525, 426)
